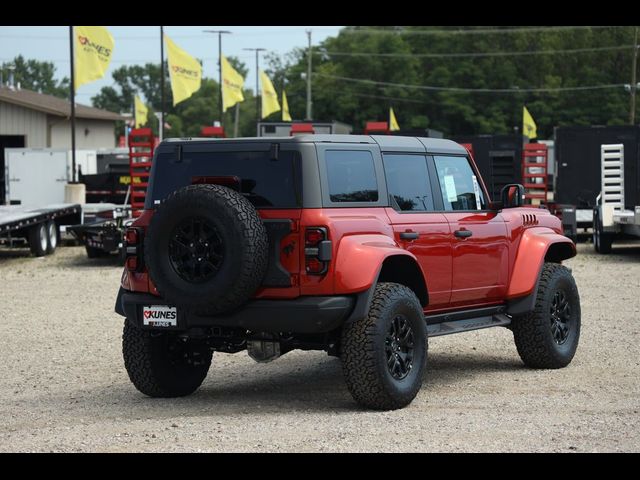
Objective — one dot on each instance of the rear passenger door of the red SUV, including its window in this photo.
(417, 227)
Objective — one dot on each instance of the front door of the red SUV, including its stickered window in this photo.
(479, 236)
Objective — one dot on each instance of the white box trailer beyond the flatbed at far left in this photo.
(37, 176)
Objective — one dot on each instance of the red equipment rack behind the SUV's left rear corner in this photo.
(141, 148)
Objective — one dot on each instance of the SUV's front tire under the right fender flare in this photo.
(532, 332)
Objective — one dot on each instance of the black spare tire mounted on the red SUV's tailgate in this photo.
(206, 249)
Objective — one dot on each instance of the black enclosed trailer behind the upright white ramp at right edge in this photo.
(579, 181)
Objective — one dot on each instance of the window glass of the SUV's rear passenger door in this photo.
(408, 182)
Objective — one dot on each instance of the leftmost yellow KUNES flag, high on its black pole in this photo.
(93, 52)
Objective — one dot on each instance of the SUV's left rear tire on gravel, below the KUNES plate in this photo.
(156, 372)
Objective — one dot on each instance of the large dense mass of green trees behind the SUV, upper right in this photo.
(462, 112)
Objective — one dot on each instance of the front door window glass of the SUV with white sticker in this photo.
(459, 186)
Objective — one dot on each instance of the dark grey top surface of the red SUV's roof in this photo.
(388, 143)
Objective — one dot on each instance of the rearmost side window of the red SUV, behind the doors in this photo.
(351, 175)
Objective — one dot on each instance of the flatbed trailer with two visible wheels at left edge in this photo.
(37, 227)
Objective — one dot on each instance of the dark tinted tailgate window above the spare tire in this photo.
(266, 183)
